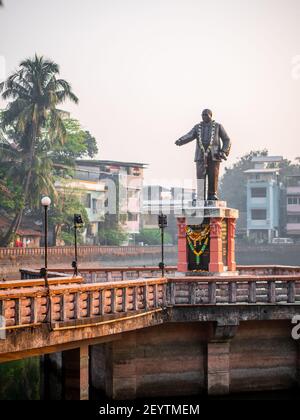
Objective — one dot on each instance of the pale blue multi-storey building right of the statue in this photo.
(263, 198)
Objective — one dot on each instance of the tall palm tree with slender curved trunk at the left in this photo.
(35, 91)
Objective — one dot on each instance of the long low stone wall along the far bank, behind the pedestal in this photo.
(122, 256)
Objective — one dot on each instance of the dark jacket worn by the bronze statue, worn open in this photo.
(221, 142)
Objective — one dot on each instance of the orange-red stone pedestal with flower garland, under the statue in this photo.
(219, 256)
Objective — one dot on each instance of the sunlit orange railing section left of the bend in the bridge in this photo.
(77, 302)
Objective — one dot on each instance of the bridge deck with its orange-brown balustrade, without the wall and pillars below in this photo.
(35, 319)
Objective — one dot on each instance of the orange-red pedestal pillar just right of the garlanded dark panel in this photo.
(215, 247)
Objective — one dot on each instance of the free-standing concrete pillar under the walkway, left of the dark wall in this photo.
(76, 373)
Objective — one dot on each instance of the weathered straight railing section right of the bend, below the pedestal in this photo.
(234, 290)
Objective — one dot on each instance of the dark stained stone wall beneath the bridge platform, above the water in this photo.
(182, 360)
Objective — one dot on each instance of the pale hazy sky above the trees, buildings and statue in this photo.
(144, 69)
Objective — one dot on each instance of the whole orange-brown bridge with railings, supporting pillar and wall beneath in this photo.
(128, 332)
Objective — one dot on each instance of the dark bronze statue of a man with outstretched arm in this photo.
(212, 146)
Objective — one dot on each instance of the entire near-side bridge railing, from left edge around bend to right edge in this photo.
(26, 302)
